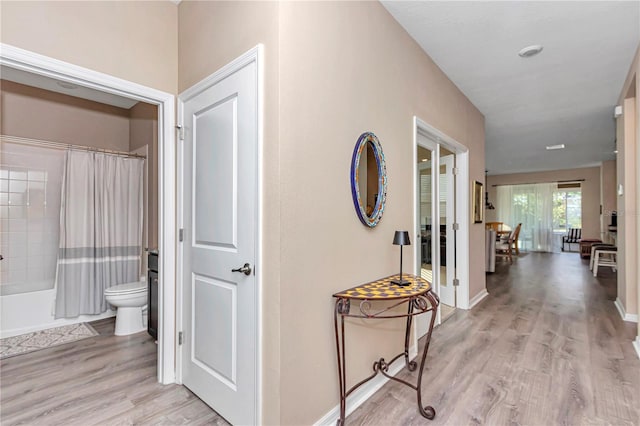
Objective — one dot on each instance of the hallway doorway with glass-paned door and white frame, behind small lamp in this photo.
(441, 225)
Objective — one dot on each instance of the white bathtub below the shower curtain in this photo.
(26, 312)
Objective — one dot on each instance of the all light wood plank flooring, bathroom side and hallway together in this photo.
(546, 347)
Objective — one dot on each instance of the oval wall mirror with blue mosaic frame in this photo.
(368, 179)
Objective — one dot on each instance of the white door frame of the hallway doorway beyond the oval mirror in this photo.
(461, 200)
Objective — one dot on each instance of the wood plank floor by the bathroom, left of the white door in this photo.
(102, 380)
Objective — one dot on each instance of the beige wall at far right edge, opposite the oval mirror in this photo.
(628, 136)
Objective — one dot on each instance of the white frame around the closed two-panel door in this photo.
(256, 55)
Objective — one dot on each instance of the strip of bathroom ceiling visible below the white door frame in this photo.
(53, 85)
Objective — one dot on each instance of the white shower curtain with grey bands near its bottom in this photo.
(100, 230)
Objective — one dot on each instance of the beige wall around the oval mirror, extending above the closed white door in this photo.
(318, 101)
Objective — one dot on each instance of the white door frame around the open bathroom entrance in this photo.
(35, 63)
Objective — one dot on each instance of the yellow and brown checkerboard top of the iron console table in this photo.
(384, 289)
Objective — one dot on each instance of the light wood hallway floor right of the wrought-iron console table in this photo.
(546, 347)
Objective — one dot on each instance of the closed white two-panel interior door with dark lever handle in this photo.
(220, 346)
